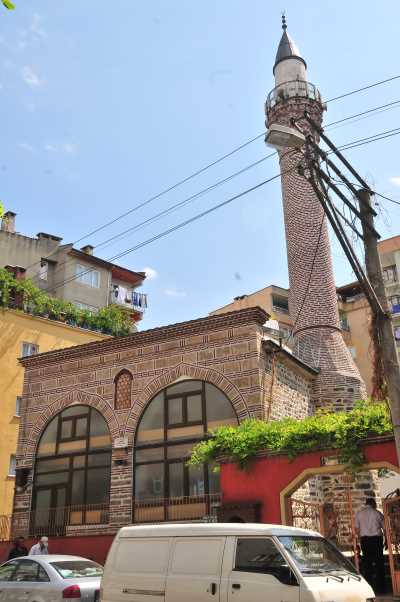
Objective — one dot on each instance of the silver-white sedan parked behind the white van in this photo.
(50, 578)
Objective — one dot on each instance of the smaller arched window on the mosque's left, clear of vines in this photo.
(72, 470)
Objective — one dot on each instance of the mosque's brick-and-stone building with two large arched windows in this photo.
(107, 427)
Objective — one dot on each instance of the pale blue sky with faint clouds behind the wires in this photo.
(104, 104)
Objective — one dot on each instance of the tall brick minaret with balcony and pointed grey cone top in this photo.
(312, 301)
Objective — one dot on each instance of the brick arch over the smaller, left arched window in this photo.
(68, 399)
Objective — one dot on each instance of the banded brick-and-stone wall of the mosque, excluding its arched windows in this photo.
(225, 350)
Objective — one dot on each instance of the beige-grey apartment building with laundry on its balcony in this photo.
(75, 275)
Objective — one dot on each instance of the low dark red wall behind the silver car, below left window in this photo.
(91, 546)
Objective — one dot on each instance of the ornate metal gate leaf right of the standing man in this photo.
(391, 511)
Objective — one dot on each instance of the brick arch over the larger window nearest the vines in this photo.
(191, 372)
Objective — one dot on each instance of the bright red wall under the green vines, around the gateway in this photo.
(266, 477)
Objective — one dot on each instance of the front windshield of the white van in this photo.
(315, 555)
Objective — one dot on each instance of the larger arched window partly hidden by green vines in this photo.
(176, 419)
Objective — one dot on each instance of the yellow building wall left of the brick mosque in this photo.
(23, 335)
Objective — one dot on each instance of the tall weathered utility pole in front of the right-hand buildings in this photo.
(383, 320)
